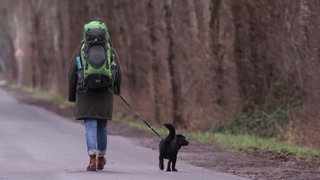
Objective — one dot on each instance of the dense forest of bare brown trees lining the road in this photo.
(218, 65)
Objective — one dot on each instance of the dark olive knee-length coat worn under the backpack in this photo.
(91, 104)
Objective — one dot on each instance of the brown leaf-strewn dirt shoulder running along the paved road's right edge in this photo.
(251, 164)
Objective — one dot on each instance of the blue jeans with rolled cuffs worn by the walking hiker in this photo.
(96, 136)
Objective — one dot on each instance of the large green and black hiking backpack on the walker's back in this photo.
(95, 58)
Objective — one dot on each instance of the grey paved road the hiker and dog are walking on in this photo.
(38, 144)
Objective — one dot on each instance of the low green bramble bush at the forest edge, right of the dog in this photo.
(264, 121)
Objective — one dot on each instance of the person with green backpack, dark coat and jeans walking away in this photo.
(94, 78)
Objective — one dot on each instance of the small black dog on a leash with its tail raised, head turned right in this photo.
(169, 148)
